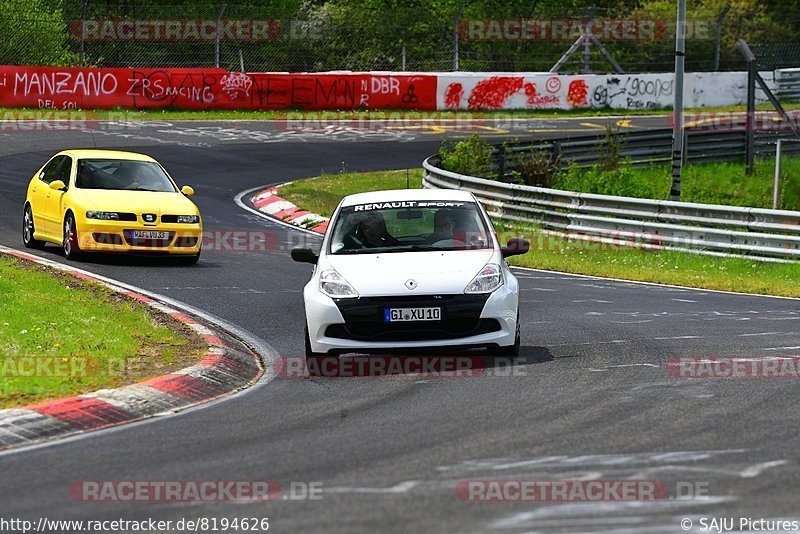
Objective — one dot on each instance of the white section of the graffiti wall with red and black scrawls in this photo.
(548, 91)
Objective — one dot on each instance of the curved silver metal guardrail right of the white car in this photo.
(763, 234)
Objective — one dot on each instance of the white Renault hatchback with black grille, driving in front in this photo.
(411, 269)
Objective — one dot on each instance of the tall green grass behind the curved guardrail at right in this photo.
(707, 183)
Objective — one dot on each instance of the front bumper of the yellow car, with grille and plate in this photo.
(96, 235)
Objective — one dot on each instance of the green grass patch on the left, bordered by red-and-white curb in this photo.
(61, 336)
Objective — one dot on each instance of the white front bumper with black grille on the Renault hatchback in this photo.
(494, 318)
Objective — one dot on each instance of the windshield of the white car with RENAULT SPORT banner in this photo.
(408, 226)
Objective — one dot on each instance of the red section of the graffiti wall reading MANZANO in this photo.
(73, 88)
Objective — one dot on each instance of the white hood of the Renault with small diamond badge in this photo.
(434, 272)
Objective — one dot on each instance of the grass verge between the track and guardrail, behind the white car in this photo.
(322, 194)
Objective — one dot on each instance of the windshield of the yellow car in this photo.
(122, 175)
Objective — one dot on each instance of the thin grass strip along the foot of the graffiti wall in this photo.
(120, 114)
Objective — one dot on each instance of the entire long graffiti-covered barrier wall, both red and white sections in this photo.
(75, 88)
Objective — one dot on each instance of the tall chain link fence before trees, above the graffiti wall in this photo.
(329, 36)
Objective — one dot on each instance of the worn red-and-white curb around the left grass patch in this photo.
(228, 366)
